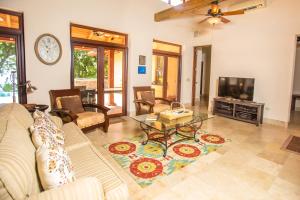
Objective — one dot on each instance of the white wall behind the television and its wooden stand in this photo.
(259, 44)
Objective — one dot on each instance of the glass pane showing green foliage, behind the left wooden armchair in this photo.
(85, 72)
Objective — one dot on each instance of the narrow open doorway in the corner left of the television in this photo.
(201, 76)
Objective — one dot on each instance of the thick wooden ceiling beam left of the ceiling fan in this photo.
(182, 10)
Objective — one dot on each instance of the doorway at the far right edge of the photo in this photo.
(295, 105)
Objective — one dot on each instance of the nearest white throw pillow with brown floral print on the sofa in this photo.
(54, 167)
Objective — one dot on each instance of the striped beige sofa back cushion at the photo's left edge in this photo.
(17, 160)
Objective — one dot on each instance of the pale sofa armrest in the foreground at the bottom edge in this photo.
(86, 188)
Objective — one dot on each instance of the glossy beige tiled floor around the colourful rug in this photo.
(252, 166)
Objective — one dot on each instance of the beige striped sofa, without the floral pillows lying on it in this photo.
(95, 177)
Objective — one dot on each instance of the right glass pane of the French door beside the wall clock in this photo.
(113, 80)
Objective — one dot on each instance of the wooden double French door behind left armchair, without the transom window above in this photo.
(99, 72)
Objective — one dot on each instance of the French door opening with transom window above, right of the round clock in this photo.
(99, 67)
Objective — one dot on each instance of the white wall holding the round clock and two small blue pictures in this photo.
(134, 17)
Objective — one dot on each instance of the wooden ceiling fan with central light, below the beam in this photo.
(215, 14)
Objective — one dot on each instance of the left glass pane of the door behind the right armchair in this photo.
(158, 74)
